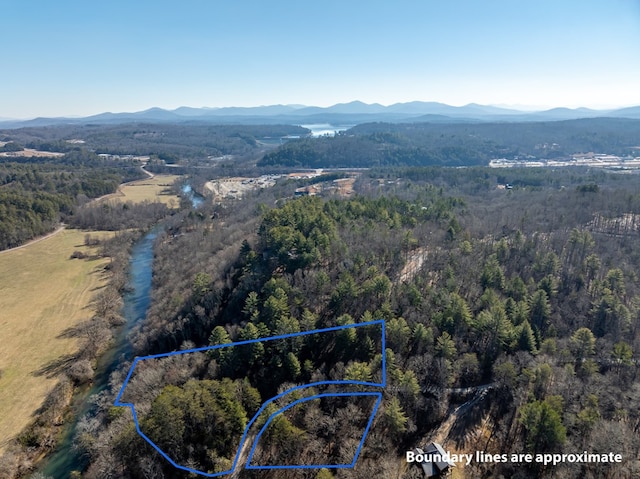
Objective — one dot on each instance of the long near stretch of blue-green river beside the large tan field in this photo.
(66, 459)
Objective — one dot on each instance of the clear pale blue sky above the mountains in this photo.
(81, 57)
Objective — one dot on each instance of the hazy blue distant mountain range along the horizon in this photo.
(339, 114)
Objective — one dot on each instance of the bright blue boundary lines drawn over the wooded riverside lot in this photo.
(382, 384)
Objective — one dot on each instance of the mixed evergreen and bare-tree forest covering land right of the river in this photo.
(522, 305)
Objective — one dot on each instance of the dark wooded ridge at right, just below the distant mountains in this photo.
(424, 144)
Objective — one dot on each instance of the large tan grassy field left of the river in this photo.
(42, 293)
